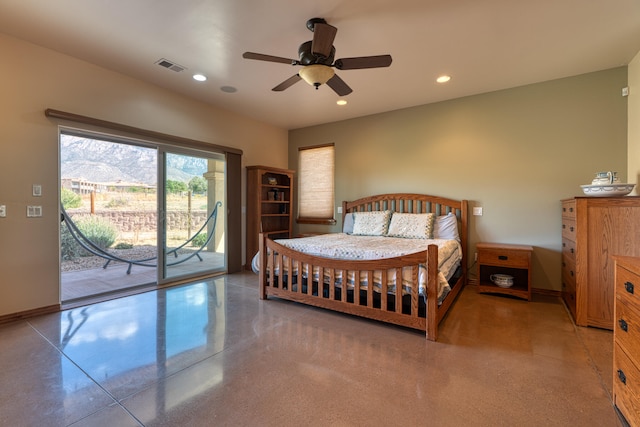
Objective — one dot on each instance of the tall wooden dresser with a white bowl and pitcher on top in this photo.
(593, 230)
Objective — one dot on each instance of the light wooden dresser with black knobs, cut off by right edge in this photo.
(626, 339)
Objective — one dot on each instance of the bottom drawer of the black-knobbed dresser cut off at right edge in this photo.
(626, 383)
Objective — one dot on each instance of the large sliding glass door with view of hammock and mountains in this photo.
(137, 214)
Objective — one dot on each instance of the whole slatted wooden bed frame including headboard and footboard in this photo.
(367, 303)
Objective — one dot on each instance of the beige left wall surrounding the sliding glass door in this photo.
(33, 79)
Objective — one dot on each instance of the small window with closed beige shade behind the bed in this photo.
(315, 184)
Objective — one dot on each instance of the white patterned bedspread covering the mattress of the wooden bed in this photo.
(347, 246)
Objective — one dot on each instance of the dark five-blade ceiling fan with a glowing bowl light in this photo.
(316, 57)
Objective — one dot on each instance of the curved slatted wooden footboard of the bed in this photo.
(320, 282)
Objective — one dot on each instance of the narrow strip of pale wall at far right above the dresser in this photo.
(634, 122)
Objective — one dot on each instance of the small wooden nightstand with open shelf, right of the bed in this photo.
(514, 260)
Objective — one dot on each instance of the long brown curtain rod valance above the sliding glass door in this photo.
(192, 143)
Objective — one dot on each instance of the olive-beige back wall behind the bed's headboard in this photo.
(515, 152)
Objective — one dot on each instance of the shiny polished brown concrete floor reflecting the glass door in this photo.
(211, 354)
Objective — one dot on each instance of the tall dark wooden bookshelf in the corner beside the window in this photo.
(269, 202)
